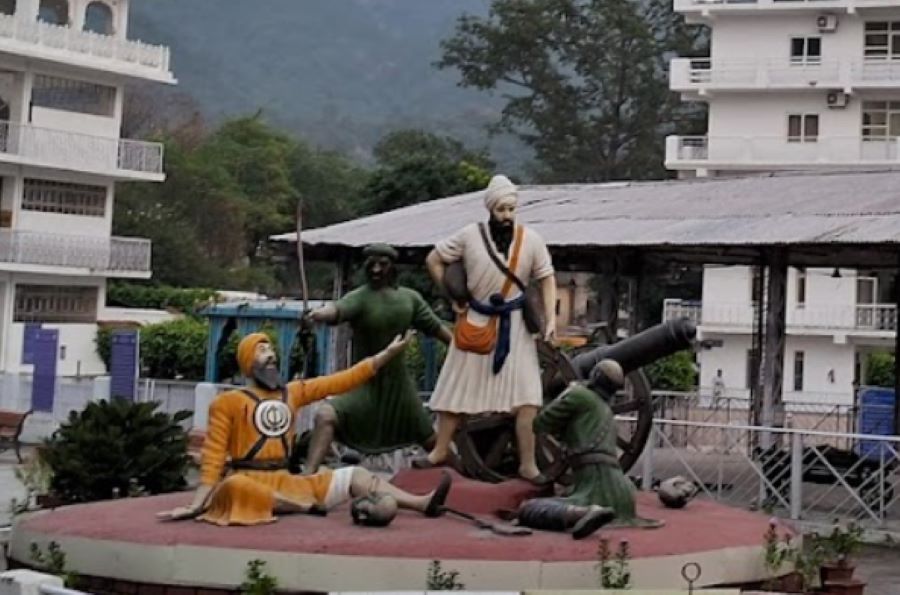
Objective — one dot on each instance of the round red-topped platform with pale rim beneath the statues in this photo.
(123, 539)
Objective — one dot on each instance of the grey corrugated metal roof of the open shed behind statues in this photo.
(823, 208)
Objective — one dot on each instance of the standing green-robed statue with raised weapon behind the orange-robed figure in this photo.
(387, 412)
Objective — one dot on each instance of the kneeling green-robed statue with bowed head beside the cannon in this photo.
(583, 421)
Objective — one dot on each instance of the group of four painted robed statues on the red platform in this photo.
(500, 280)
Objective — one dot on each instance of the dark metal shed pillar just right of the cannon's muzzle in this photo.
(773, 352)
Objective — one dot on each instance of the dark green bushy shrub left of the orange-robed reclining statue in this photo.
(119, 447)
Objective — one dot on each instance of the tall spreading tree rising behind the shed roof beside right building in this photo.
(585, 81)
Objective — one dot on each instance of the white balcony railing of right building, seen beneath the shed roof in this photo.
(862, 317)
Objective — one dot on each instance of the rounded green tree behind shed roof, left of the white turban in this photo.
(416, 166)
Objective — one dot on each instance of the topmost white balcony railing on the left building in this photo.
(54, 37)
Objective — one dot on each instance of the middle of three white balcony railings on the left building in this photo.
(80, 152)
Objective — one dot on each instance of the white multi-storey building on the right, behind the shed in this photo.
(793, 85)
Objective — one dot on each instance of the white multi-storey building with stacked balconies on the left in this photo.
(63, 67)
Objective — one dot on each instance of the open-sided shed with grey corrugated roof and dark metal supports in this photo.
(837, 219)
